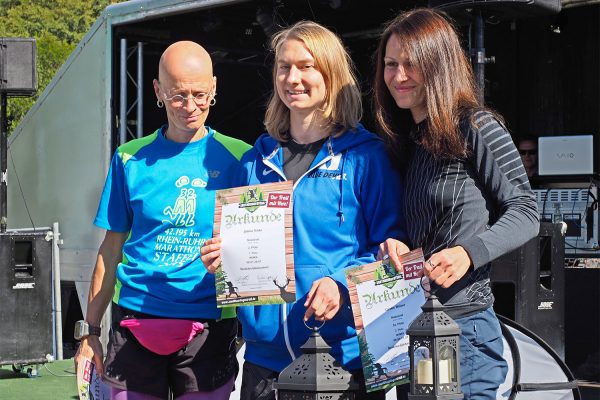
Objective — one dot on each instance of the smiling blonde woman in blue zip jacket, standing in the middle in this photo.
(346, 201)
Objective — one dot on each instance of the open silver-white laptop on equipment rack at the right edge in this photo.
(566, 155)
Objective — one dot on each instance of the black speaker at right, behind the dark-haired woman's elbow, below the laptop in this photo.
(529, 286)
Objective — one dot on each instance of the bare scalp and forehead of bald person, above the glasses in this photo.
(184, 59)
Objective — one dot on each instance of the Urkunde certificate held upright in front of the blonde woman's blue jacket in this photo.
(257, 252)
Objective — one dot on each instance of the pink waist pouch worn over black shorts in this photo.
(163, 336)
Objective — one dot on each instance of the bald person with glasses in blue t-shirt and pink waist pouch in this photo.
(157, 208)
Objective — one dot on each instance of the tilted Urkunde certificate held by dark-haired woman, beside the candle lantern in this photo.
(384, 303)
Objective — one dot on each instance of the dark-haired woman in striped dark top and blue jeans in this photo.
(467, 197)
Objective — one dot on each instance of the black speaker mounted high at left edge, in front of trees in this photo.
(17, 66)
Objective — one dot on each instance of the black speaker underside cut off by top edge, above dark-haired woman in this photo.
(500, 9)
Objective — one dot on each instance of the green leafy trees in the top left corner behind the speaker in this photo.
(57, 26)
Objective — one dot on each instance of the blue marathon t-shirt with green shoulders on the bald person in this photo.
(162, 193)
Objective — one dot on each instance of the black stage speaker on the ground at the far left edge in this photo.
(25, 298)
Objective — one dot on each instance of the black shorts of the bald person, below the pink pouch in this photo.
(205, 364)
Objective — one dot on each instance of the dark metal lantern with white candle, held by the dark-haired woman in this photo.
(434, 354)
